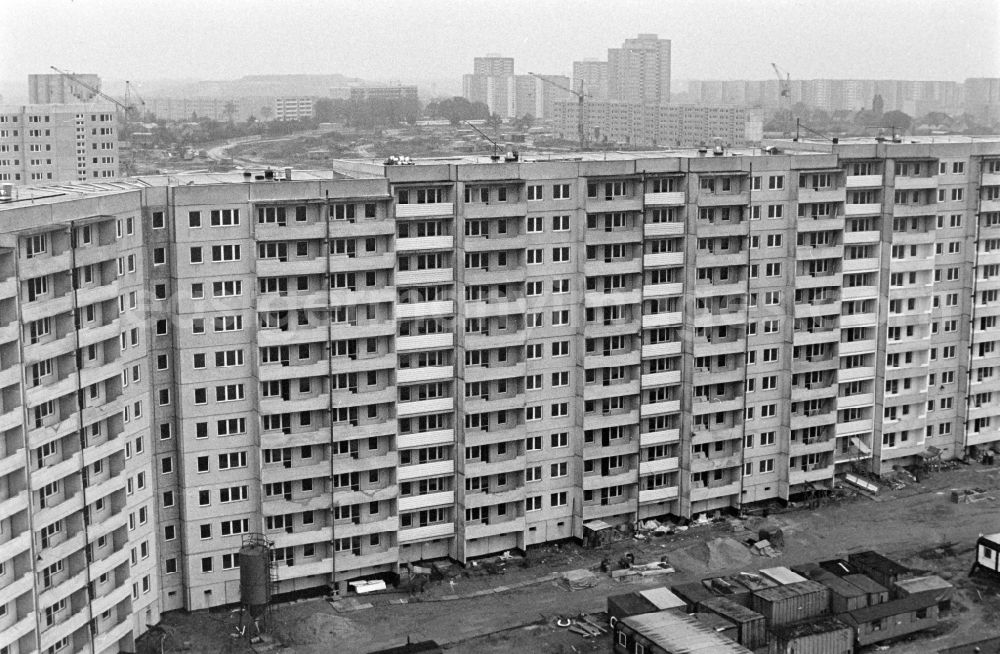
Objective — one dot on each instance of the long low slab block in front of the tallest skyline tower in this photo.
(634, 124)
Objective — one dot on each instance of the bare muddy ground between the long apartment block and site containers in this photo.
(516, 611)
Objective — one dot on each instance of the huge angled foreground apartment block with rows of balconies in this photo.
(394, 363)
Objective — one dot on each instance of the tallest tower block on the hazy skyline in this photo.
(639, 71)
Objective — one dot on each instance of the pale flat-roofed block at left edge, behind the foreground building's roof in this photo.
(43, 143)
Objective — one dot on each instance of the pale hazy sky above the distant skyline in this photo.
(437, 39)
